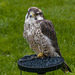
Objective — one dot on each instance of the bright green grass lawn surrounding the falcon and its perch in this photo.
(12, 44)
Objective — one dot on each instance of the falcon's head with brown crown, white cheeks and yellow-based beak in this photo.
(34, 14)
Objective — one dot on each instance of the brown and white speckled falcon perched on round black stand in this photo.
(41, 35)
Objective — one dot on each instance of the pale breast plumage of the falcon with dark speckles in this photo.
(35, 38)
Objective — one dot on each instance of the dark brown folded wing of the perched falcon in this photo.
(49, 31)
